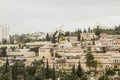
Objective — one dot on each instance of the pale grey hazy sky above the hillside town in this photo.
(23, 16)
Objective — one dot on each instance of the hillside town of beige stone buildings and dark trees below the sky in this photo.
(92, 54)
